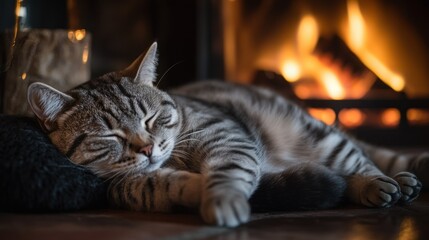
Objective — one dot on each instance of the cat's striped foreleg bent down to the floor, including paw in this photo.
(230, 178)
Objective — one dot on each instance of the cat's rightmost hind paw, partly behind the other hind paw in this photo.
(410, 186)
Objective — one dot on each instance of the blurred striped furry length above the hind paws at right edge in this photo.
(392, 162)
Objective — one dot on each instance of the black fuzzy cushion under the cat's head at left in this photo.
(35, 176)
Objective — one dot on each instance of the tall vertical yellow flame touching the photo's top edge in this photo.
(356, 25)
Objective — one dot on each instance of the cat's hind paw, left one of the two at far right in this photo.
(381, 191)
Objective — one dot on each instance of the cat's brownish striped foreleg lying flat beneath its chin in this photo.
(157, 191)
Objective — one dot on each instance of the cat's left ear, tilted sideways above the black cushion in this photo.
(46, 103)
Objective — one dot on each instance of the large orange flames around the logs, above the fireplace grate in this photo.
(335, 81)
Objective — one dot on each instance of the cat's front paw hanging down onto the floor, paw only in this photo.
(226, 209)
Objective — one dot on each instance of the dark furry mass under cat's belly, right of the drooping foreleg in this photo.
(304, 187)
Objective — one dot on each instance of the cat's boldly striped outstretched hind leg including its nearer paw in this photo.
(367, 185)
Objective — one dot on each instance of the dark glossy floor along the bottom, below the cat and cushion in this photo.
(351, 222)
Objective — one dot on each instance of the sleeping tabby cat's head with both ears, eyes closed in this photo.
(116, 124)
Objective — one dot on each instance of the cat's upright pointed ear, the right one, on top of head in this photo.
(143, 69)
